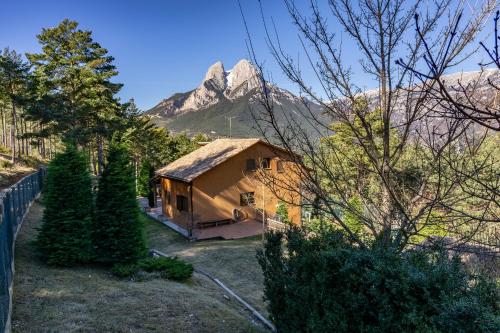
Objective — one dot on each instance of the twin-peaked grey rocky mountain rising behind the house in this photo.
(221, 95)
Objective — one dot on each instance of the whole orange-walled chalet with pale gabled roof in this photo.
(218, 184)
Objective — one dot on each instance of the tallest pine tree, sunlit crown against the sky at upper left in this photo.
(74, 77)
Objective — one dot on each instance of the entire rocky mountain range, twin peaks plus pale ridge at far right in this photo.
(225, 94)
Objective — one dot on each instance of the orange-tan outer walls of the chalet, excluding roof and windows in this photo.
(217, 192)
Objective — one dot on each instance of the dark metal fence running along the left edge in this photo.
(14, 203)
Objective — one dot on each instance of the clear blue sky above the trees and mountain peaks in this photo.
(161, 47)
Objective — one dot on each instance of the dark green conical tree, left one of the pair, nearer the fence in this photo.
(64, 237)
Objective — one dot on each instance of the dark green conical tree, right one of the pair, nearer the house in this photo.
(117, 230)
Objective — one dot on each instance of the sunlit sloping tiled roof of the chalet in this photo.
(205, 158)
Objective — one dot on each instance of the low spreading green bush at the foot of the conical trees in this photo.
(170, 268)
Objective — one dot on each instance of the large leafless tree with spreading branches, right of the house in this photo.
(383, 157)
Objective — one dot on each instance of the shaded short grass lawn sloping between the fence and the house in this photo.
(89, 299)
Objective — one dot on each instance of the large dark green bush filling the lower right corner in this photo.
(350, 289)
